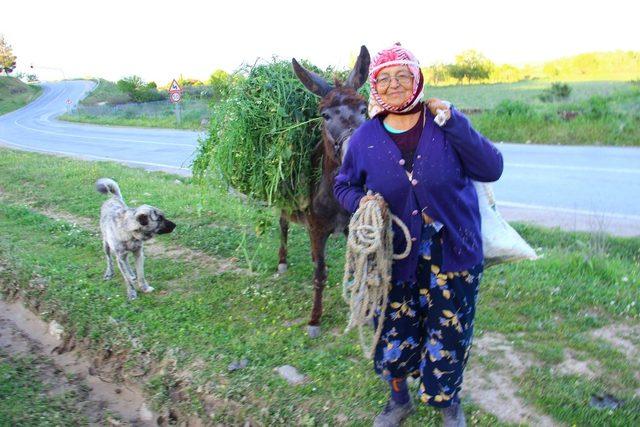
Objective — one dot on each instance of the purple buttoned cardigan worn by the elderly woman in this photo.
(445, 162)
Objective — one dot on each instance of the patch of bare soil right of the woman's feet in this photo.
(495, 390)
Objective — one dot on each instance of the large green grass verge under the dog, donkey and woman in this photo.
(204, 322)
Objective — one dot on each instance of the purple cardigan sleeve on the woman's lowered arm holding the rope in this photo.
(349, 183)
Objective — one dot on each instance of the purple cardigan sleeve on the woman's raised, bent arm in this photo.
(480, 158)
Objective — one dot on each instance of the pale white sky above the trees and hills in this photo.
(159, 40)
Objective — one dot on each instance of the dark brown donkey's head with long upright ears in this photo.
(342, 107)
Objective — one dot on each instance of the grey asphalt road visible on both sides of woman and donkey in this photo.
(575, 188)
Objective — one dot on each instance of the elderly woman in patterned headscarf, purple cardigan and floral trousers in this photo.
(423, 171)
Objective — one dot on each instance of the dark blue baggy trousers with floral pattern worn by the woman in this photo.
(428, 326)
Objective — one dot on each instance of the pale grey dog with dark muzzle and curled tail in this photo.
(124, 230)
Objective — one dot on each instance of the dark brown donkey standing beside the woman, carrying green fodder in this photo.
(342, 110)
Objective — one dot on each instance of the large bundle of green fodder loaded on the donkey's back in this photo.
(261, 136)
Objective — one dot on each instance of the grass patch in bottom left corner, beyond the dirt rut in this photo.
(26, 400)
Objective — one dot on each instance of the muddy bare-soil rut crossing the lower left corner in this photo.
(22, 333)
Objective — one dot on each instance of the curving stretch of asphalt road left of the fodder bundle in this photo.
(35, 128)
